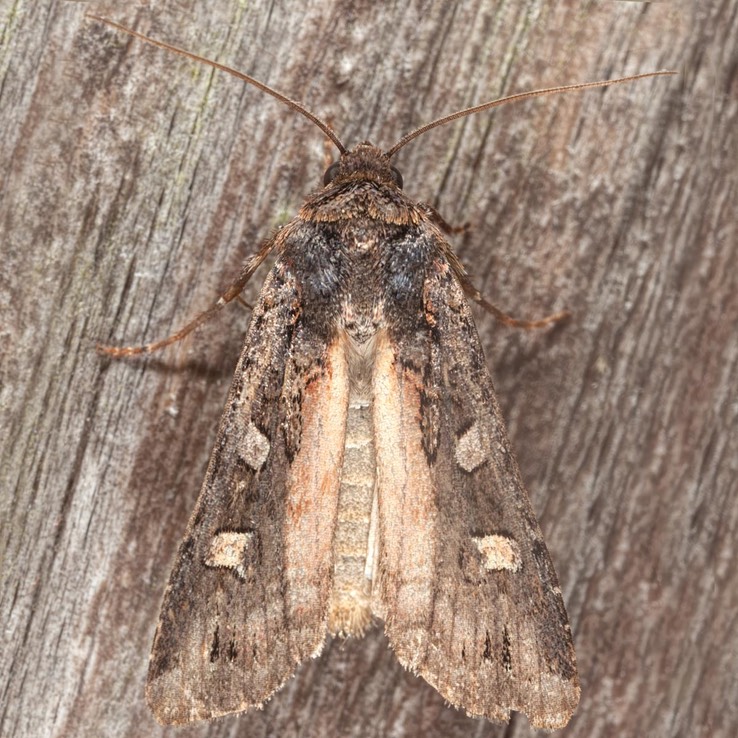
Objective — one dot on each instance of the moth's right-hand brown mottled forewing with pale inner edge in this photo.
(466, 585)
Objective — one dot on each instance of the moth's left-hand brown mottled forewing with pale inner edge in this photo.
(247, 599)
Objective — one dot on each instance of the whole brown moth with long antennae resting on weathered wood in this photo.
(362, 472)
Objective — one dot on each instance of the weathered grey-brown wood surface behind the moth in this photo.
(133, 185)
